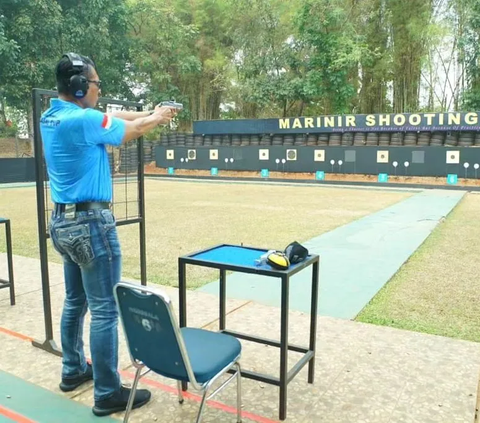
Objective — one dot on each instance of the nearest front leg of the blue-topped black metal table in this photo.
(284, 347)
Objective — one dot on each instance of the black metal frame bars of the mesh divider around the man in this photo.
(49, 344)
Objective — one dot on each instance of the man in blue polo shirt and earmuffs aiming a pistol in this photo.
(82, 226)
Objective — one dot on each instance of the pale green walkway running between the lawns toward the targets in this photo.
(356, 260)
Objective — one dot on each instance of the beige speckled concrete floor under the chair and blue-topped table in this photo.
(364, 373)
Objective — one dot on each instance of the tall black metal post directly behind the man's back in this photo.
(48, 344)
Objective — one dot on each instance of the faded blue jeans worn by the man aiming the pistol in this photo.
(92, 258)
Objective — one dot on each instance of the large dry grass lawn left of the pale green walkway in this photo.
(183, 217)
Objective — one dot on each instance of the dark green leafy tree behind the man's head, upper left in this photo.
(34, 35)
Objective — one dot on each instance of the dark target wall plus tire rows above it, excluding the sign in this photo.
(426, 153)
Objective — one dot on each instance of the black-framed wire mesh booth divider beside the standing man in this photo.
(127, 168)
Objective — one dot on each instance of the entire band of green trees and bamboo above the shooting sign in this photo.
(246, 58)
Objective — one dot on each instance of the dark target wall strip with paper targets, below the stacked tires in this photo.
(413, 161)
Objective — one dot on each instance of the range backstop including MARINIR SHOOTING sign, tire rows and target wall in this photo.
(415, 144)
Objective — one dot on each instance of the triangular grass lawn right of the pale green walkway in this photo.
(437, 291)
